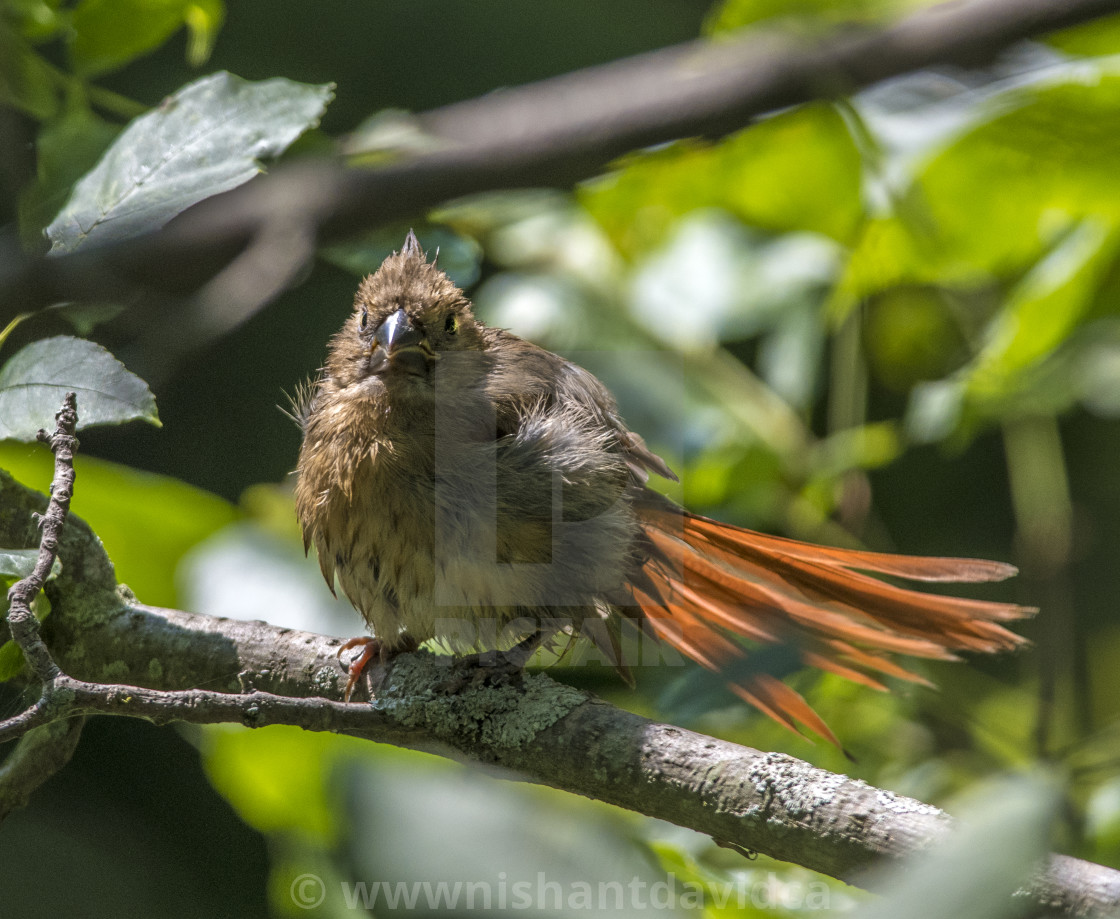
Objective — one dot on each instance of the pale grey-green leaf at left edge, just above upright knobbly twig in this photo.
(35, 380)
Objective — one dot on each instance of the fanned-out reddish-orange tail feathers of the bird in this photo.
(705, 582)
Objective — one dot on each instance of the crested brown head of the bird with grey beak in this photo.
(408, 316)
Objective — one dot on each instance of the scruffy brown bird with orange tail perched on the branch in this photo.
(464, 485)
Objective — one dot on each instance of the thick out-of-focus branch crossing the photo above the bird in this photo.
(554, 133)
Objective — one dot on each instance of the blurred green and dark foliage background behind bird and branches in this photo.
(889, 321)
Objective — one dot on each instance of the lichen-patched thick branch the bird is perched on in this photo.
(133, 660)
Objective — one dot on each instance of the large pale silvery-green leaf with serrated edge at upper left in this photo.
(206, 139)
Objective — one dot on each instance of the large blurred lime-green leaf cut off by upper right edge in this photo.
(1033, 162)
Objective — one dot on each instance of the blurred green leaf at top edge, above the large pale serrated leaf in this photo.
(109, 34)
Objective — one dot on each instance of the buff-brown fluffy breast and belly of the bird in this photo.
(441, 529)
